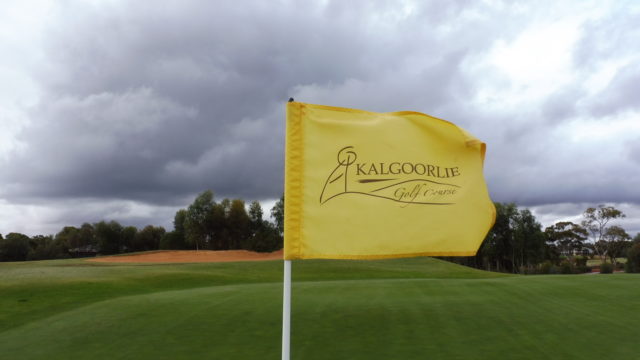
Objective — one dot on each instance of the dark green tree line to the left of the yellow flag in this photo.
(204, 224)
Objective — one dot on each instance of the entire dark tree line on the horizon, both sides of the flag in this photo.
(517, 242)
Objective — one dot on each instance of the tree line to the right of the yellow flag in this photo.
(517, 243)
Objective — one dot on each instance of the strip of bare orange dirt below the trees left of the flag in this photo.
(191, 256)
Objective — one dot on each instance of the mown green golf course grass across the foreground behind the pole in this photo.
(392, 309)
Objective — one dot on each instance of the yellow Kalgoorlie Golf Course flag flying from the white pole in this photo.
(364, 185)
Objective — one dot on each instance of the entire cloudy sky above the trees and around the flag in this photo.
(126, 110)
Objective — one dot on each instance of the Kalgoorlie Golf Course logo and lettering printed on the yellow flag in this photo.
(419, 183)
